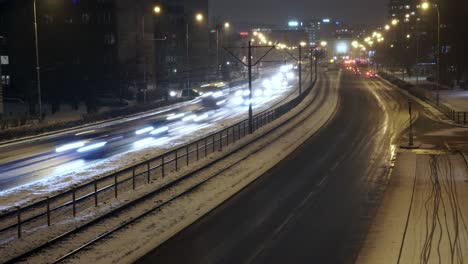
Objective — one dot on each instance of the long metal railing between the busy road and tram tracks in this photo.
(56, 208)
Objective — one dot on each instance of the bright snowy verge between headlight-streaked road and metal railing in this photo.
(77, 172)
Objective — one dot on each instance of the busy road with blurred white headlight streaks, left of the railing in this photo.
(26, 163)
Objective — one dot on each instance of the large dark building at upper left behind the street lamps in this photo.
(99, 49)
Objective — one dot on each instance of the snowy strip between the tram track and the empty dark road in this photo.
(244, 166)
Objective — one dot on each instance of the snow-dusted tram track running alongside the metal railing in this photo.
(100, 225)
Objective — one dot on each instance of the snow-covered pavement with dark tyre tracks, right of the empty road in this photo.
(422, 217)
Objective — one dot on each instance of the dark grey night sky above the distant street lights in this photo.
(371, 12)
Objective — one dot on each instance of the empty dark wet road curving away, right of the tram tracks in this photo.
(315, 206)
